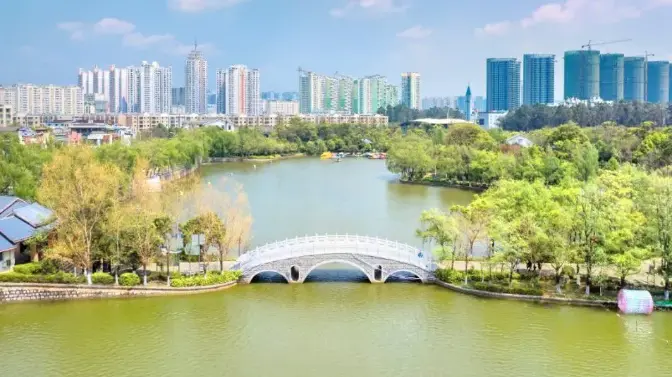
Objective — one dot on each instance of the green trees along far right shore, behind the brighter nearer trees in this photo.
(467, 155)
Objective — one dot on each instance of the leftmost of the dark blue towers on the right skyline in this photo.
(503, 84)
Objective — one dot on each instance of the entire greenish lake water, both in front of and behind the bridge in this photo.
(334, 325)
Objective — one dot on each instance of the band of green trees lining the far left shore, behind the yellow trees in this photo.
(21, 165)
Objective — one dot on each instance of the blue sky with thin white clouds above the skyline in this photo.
(447, 41)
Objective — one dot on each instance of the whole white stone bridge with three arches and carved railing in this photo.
(295, 258)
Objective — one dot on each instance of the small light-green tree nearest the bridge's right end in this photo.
(440, 228)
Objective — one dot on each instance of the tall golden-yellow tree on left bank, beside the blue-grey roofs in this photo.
(81, 191)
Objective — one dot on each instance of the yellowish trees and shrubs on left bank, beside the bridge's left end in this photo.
(110, 219)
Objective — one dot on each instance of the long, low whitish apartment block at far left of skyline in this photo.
(45, 99)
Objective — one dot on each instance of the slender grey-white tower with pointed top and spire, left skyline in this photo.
(196, 82)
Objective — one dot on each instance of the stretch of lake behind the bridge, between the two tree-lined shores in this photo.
(305, 196)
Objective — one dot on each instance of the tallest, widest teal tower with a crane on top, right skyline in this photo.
(582, 74)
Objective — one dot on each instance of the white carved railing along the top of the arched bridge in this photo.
(333, 244)
